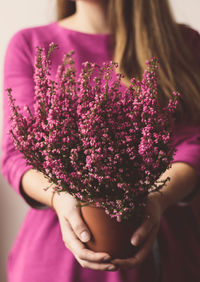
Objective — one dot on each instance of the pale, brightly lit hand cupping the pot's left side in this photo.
(75, 233)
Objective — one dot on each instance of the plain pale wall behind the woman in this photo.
(15, 15)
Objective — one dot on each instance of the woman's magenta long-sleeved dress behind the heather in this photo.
(38, 253)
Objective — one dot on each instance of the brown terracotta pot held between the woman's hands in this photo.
(108, 235)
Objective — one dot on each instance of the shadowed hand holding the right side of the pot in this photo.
(145, 235)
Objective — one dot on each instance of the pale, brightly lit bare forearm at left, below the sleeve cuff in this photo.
(34, 183)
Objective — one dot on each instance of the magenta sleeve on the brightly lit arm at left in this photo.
(18, 75)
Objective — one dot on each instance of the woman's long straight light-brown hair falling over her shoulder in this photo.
(144, 29)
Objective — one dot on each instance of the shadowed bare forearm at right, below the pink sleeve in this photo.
(183, 182)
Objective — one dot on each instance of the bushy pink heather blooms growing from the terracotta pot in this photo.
(99, 143)
